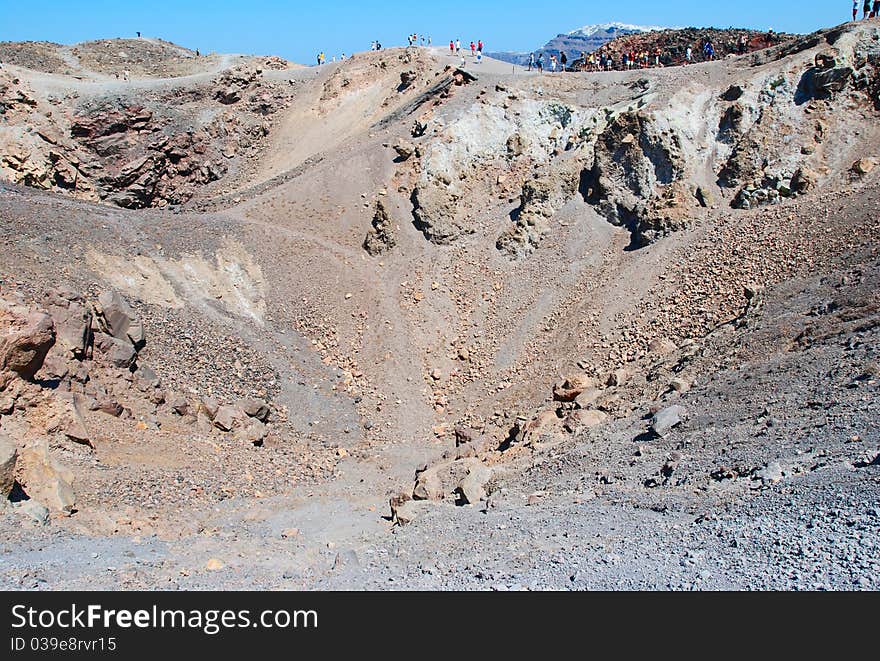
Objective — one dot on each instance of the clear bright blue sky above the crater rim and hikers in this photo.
(298, 30)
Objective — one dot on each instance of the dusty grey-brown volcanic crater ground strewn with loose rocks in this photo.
(583, 231)
